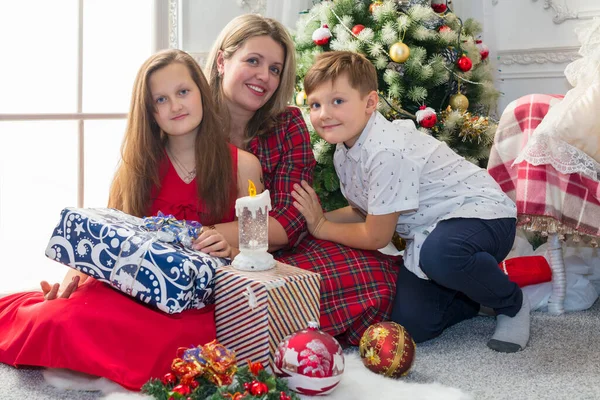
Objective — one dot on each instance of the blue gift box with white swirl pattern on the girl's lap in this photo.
(114, 247)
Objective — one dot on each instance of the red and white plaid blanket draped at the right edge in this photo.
(547, 200)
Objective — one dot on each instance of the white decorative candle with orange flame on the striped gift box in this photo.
(253, 222)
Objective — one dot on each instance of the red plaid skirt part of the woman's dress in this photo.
(357, 286)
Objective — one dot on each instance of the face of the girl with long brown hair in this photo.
(176, 99)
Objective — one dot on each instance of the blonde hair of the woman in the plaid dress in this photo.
(231, 38)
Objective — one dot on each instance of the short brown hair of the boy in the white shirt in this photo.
(331, 65)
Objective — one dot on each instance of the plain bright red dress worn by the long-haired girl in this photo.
(101, 331)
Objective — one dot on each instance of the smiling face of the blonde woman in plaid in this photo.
(252, 74)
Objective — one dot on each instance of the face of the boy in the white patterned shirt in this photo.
(338, 112)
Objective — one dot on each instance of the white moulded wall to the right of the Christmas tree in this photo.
(531, 41)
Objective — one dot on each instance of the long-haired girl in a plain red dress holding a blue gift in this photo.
(175, 160)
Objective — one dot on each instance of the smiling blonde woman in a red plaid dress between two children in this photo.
(252, 71)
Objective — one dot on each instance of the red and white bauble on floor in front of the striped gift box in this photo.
(311, 361)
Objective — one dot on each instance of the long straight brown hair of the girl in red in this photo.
(142, 151)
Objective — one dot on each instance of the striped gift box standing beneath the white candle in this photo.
(254, 311)
